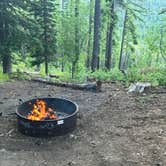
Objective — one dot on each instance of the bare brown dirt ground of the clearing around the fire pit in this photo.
(114, 128)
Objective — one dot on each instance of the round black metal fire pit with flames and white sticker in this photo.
(46, 116)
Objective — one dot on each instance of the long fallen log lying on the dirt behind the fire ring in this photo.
(96, 86)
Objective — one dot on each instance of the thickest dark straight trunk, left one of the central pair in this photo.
(96, 40)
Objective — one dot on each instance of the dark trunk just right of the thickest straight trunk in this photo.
(109, 42)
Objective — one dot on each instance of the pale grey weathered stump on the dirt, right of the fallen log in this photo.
(138, 87)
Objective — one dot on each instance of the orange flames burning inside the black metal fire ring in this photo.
(41, 112)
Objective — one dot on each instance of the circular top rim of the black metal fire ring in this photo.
(42, 98)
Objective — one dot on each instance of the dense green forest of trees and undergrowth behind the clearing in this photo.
(122, 40)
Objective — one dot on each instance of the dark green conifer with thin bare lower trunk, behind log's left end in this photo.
(44, 12)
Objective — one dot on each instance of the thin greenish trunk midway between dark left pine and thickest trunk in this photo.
(77, 51)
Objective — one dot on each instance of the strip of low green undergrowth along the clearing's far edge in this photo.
(156, 76)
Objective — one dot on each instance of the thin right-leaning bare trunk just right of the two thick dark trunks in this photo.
(122, 42)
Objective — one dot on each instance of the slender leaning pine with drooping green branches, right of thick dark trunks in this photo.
(133, 12)
